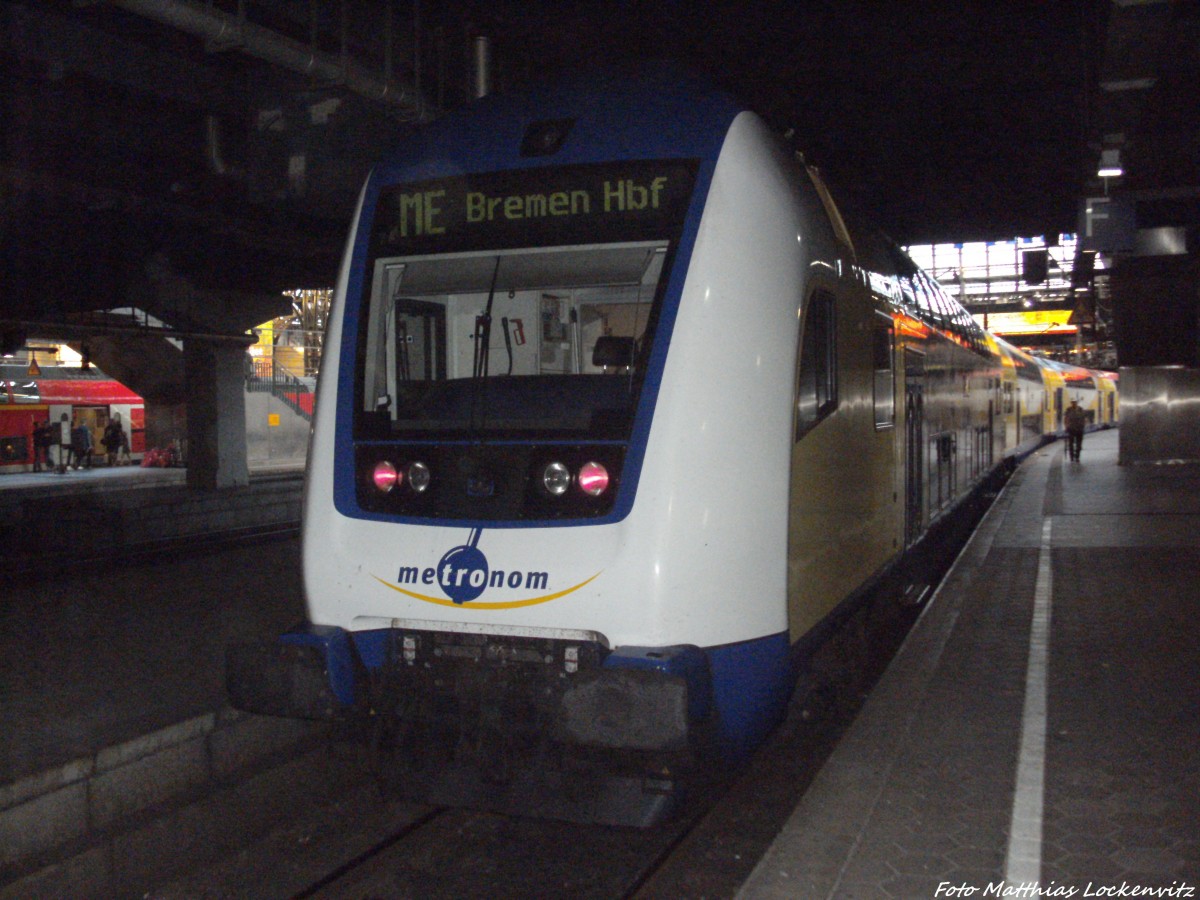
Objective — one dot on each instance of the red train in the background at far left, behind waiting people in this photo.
(33, 395)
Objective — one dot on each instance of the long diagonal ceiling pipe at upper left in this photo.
(224, 29)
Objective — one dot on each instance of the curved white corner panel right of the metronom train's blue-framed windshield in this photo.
(722, 422)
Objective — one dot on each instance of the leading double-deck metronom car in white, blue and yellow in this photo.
(617, 415)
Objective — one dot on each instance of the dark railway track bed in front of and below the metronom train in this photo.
(364, 845)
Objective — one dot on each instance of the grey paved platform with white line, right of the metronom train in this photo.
(1039, 735)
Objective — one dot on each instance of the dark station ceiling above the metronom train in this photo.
(196, 158)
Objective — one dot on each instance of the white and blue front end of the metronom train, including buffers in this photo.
(548, 499)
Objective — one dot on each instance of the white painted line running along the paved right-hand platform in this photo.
(1024, 865)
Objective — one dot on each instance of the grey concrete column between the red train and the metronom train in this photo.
(217, 416)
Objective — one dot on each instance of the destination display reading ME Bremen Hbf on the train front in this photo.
(538, 207)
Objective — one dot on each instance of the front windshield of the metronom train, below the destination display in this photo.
(547, 341)
